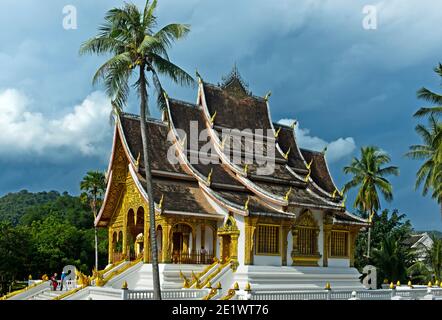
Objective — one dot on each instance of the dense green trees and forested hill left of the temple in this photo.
(42, 232)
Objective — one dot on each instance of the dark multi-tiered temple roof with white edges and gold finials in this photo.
(300, 179)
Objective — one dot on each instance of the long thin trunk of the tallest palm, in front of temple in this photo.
(153, 238)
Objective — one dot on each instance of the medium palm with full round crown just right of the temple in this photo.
(369, 176)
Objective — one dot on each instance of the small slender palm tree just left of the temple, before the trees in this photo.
(93, 186)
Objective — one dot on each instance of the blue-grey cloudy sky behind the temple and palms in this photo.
(346, 85)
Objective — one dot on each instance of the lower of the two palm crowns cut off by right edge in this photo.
(430, 173)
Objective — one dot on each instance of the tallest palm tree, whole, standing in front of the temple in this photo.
(137, 51)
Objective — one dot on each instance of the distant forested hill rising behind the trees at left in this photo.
(23, 207)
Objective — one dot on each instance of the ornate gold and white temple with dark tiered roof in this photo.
(220, 202)
